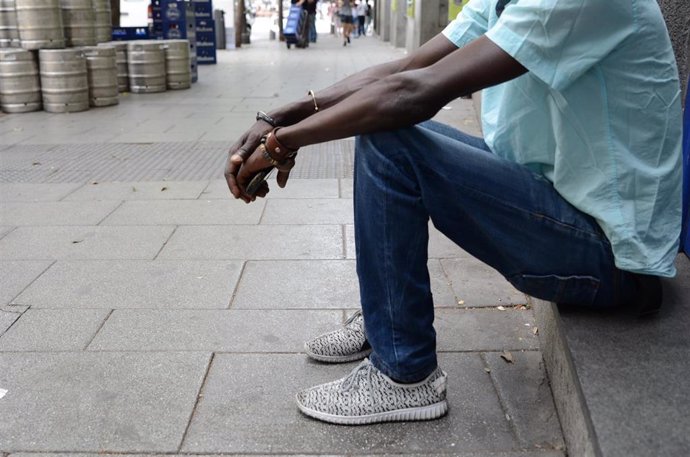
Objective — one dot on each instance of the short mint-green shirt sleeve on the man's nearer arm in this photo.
(559, 40)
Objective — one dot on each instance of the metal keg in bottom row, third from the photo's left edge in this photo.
(101, 67)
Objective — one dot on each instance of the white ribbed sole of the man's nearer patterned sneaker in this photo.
(420, 413)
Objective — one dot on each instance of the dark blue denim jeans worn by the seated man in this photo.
(500, 212)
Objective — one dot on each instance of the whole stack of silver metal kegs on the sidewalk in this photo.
(68, 63)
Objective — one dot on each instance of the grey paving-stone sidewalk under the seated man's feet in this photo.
(142, 311)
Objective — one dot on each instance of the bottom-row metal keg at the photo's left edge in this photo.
(20, 88)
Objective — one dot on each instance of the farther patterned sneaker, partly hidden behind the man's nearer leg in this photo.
(346, 344)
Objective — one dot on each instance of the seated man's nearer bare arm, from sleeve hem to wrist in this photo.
(407, 97)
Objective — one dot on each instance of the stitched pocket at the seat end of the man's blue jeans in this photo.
(571, 290)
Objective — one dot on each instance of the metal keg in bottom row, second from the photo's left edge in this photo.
(64, 80)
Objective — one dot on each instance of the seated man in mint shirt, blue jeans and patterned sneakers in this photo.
(573, 194)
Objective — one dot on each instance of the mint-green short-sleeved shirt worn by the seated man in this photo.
(598, 113)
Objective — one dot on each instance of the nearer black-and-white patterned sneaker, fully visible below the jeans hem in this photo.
(367, 396)
